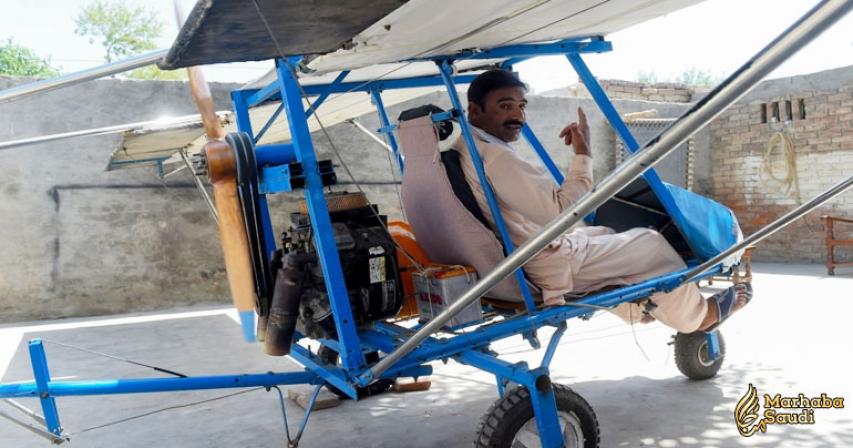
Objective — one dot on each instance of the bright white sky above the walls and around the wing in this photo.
(715, 36)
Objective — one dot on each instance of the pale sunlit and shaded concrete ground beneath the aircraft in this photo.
(790, 340)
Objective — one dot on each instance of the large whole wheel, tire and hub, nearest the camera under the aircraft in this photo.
(510, 422)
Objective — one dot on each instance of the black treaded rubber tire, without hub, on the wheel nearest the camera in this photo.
(509, 414)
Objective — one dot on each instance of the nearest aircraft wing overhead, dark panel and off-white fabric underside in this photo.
(369, 32)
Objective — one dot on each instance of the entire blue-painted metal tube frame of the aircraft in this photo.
(470, 348)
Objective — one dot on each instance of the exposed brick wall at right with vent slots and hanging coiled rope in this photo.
(823, 144)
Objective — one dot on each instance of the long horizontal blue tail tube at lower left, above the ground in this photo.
(147, 385)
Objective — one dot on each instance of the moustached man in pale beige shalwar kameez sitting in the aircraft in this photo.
(585, 259)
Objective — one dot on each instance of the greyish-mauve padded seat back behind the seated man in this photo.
(444, 227)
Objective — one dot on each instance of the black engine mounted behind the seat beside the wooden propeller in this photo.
(368, 258)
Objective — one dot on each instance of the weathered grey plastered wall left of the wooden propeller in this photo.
(75, 240)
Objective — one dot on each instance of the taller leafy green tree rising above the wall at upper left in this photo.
(122, 30)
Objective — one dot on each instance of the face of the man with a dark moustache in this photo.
(502, 114)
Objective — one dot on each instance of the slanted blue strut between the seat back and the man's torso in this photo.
(446, 74)
